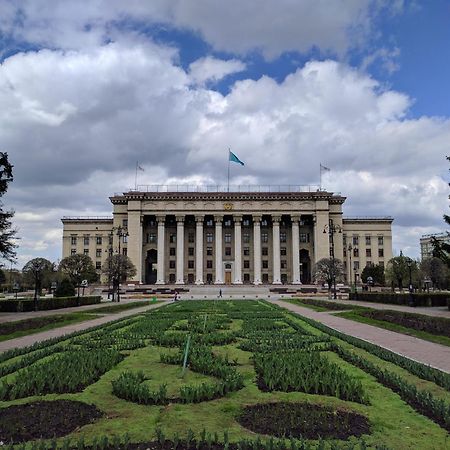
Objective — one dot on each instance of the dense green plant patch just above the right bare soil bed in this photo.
(307, 372)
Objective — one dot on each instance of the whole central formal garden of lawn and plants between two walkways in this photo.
(219, 375)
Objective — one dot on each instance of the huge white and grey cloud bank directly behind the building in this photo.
(132, 102)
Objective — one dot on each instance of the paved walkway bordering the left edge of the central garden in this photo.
(57, 332)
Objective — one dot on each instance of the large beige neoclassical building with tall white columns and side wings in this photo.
(201, 237)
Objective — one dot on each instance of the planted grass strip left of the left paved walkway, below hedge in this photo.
(16, 329)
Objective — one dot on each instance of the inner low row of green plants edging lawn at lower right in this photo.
(421, 400)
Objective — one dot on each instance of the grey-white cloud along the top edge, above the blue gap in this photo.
(272, 26)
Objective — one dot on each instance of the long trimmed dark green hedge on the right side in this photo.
(420, 299)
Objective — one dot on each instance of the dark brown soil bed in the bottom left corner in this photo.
(44, 420)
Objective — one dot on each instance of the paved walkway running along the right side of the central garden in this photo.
(434, 355)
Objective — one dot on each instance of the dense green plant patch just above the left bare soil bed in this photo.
(68, 372)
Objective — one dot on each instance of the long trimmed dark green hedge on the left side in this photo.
(44, 303)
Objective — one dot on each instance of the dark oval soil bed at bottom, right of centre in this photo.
(304, 420)
